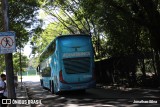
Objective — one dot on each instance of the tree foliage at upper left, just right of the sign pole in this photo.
(22, 20)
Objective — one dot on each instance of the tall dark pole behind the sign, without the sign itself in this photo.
(8, 57)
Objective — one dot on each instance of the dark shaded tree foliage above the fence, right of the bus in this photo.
(127, 21)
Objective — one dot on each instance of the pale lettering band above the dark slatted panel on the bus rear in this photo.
(76, 54)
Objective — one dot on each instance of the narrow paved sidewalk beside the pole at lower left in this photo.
(21, 94)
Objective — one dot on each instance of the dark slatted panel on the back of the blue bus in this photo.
(77, 65)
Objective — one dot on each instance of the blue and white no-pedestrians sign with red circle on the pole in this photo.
(7, 42)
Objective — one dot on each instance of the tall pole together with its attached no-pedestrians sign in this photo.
(8, 46)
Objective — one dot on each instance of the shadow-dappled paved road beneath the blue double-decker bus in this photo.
(98, 97)
